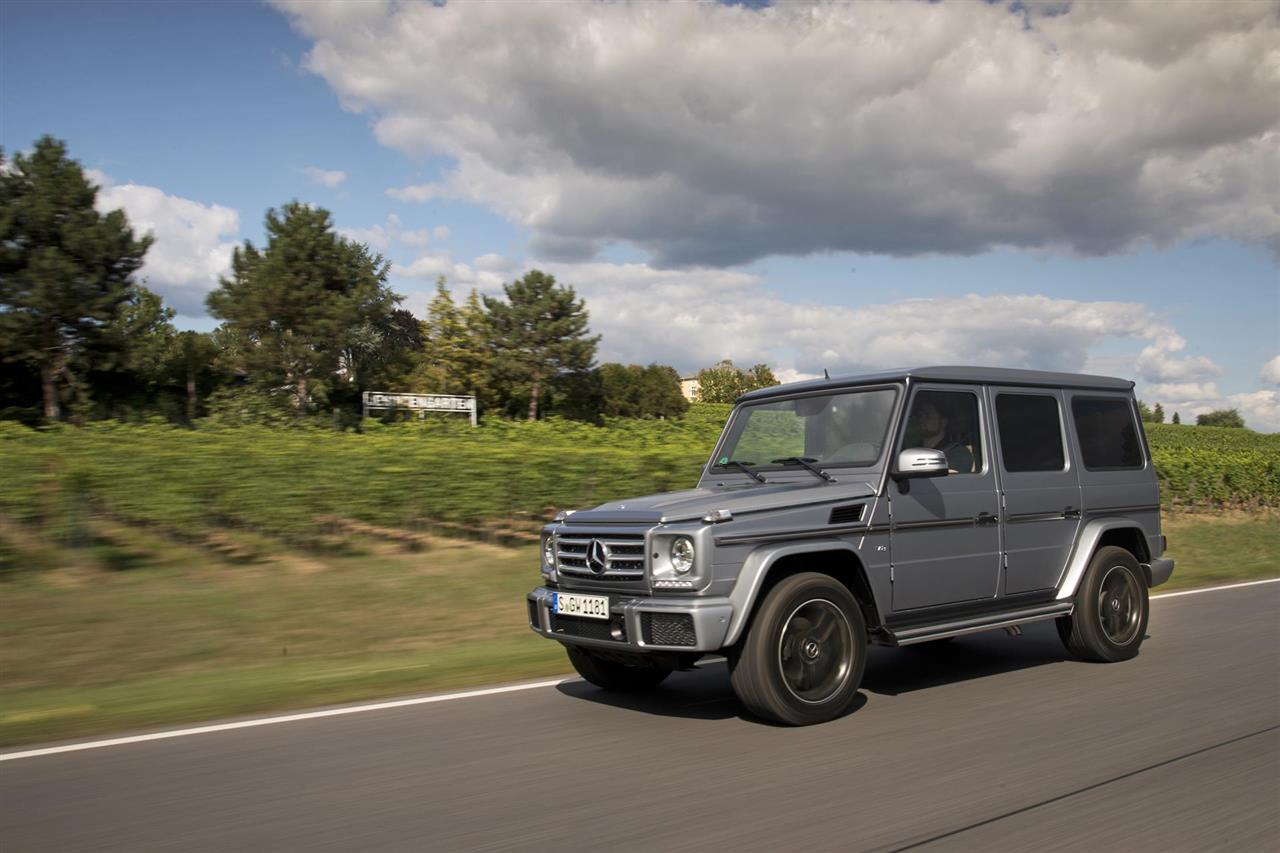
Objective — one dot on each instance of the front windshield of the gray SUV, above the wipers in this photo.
(836, 430)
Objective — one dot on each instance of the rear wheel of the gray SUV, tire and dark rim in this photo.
(1112, 609)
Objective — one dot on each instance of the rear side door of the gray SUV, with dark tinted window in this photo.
(1040, 487)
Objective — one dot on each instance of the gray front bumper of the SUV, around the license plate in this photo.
(643, 622)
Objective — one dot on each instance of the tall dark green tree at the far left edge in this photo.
(65, 267)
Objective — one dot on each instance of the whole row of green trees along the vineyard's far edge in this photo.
(308, 322)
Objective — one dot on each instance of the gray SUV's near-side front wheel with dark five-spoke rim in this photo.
(804, 655)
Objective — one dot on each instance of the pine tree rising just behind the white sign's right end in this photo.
(540, 335)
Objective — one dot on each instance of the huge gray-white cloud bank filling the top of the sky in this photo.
(714, 135)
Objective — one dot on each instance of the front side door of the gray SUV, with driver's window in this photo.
(945, 535)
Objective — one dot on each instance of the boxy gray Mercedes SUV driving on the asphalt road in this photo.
(895, 508)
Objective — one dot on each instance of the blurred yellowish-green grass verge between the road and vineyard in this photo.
(131, 631)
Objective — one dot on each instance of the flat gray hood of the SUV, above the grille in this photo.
(694, 504)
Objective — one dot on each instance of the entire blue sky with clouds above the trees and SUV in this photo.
(200, 116)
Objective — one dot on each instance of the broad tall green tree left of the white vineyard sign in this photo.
(300, 303)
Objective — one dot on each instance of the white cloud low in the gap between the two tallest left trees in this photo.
(190, 252)
